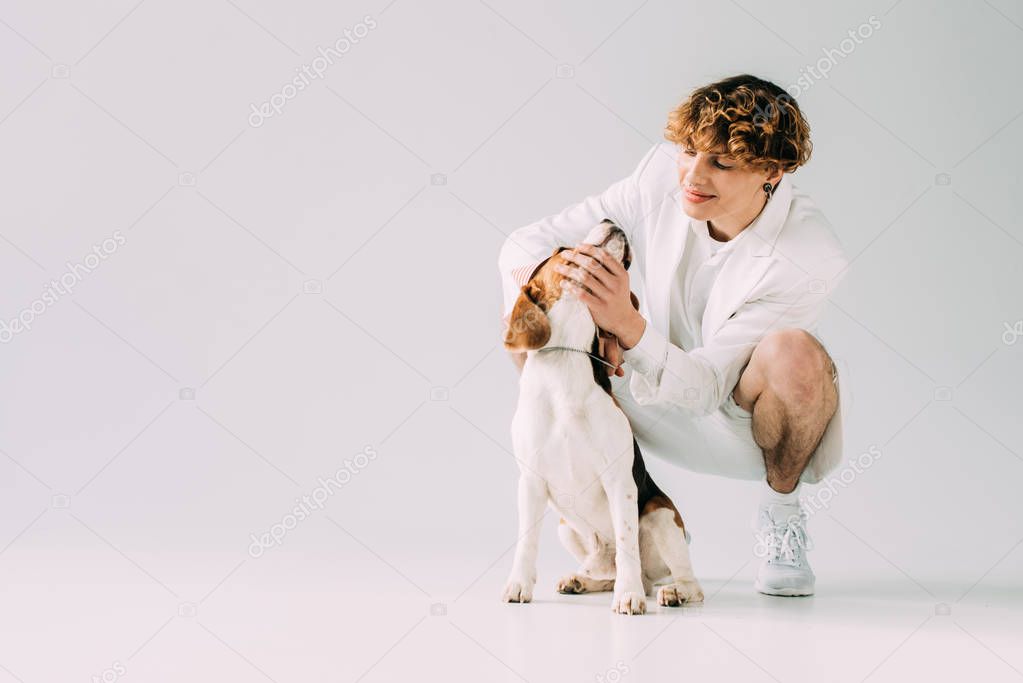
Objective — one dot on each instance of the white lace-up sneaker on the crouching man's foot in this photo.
(783, 542)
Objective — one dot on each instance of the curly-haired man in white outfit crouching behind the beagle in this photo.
(728, 376)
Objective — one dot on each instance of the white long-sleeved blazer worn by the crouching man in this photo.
(778, 277)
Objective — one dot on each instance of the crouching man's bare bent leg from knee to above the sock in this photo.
(789, 388)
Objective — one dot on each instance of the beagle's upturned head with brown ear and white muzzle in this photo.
(547, 313)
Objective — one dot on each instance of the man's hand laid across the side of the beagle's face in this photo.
(603, 284)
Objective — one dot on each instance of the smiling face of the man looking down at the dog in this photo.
(734, 189)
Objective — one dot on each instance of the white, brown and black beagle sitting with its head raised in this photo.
(576, 452)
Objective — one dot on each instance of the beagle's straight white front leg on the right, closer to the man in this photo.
(630, 599)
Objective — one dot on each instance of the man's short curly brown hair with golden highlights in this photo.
(759, 123)
